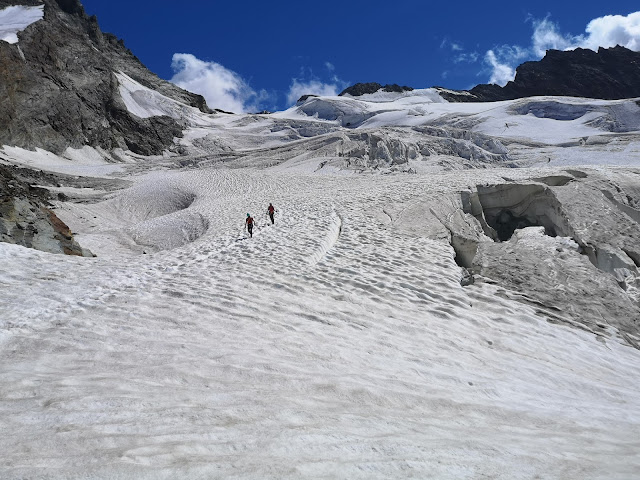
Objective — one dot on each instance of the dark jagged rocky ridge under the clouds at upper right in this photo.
(608, 74)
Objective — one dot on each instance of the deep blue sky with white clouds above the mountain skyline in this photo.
(253, 55)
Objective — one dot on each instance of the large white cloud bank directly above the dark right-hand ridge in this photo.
(607, 31)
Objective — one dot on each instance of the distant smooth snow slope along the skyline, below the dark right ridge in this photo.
(550, 120)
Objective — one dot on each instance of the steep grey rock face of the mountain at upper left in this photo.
(58, 88)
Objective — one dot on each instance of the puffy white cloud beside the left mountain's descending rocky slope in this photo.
(221, 87)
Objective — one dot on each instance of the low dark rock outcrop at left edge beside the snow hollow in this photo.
(27, 220)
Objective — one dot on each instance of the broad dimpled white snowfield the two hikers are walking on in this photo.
(337, 343)
